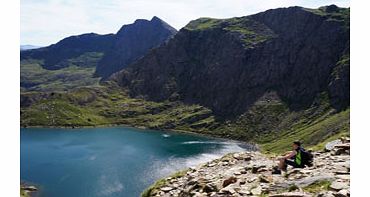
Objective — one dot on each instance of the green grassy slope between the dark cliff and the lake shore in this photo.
(273, 125)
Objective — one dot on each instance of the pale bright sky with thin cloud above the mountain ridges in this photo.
(45, 22)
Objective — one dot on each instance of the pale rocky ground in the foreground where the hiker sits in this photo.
(250, 174)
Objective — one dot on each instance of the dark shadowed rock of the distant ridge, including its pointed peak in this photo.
(109, 53)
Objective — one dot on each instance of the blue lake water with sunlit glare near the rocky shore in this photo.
(118, 161)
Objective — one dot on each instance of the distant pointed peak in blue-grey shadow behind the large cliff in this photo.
(132, 42)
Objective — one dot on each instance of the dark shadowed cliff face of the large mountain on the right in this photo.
(229, 64)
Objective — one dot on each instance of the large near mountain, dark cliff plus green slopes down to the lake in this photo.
(270, 78)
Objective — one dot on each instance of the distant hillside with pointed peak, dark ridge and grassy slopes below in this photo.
(90, 56)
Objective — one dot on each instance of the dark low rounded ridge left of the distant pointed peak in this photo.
(56, 56)
